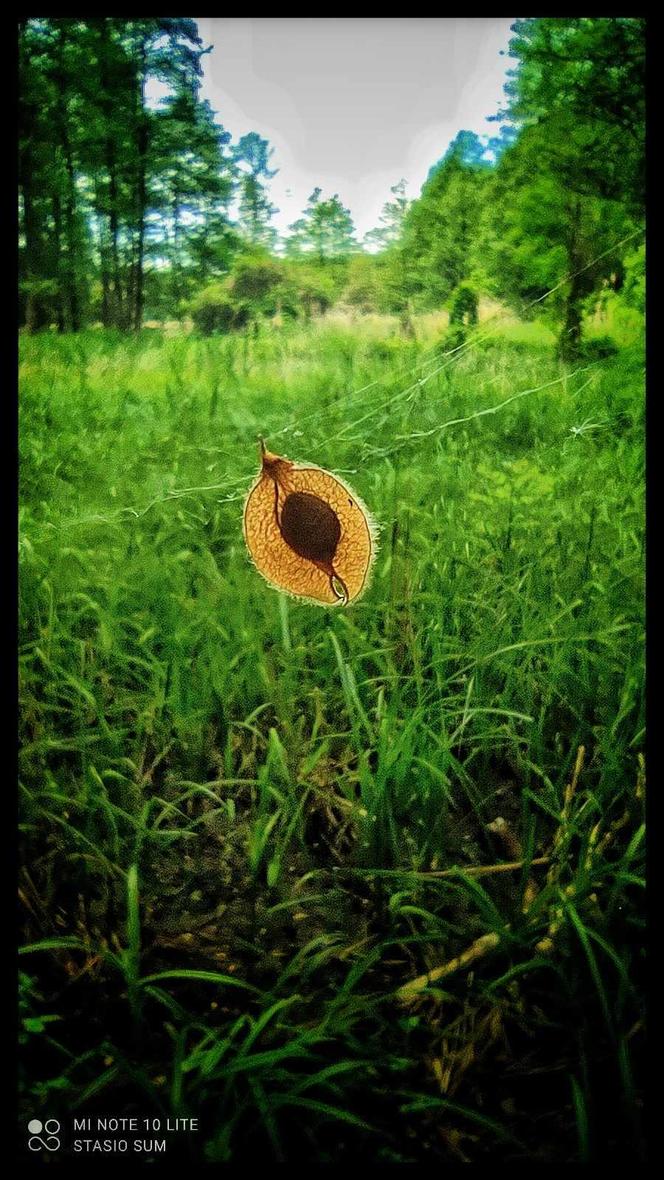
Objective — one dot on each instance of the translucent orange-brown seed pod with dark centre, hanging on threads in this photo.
(308, 533)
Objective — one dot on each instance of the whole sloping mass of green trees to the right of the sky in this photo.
(558, 194)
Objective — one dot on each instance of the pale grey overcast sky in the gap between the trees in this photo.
(354, 104)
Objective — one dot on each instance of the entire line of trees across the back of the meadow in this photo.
(130, 205)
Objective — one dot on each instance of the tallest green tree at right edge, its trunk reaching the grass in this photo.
(574, 182)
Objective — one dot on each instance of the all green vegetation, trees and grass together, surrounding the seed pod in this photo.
(358, 884)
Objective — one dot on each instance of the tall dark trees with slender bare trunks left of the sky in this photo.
(110, 186)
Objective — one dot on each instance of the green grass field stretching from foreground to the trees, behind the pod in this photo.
(262, 841)
